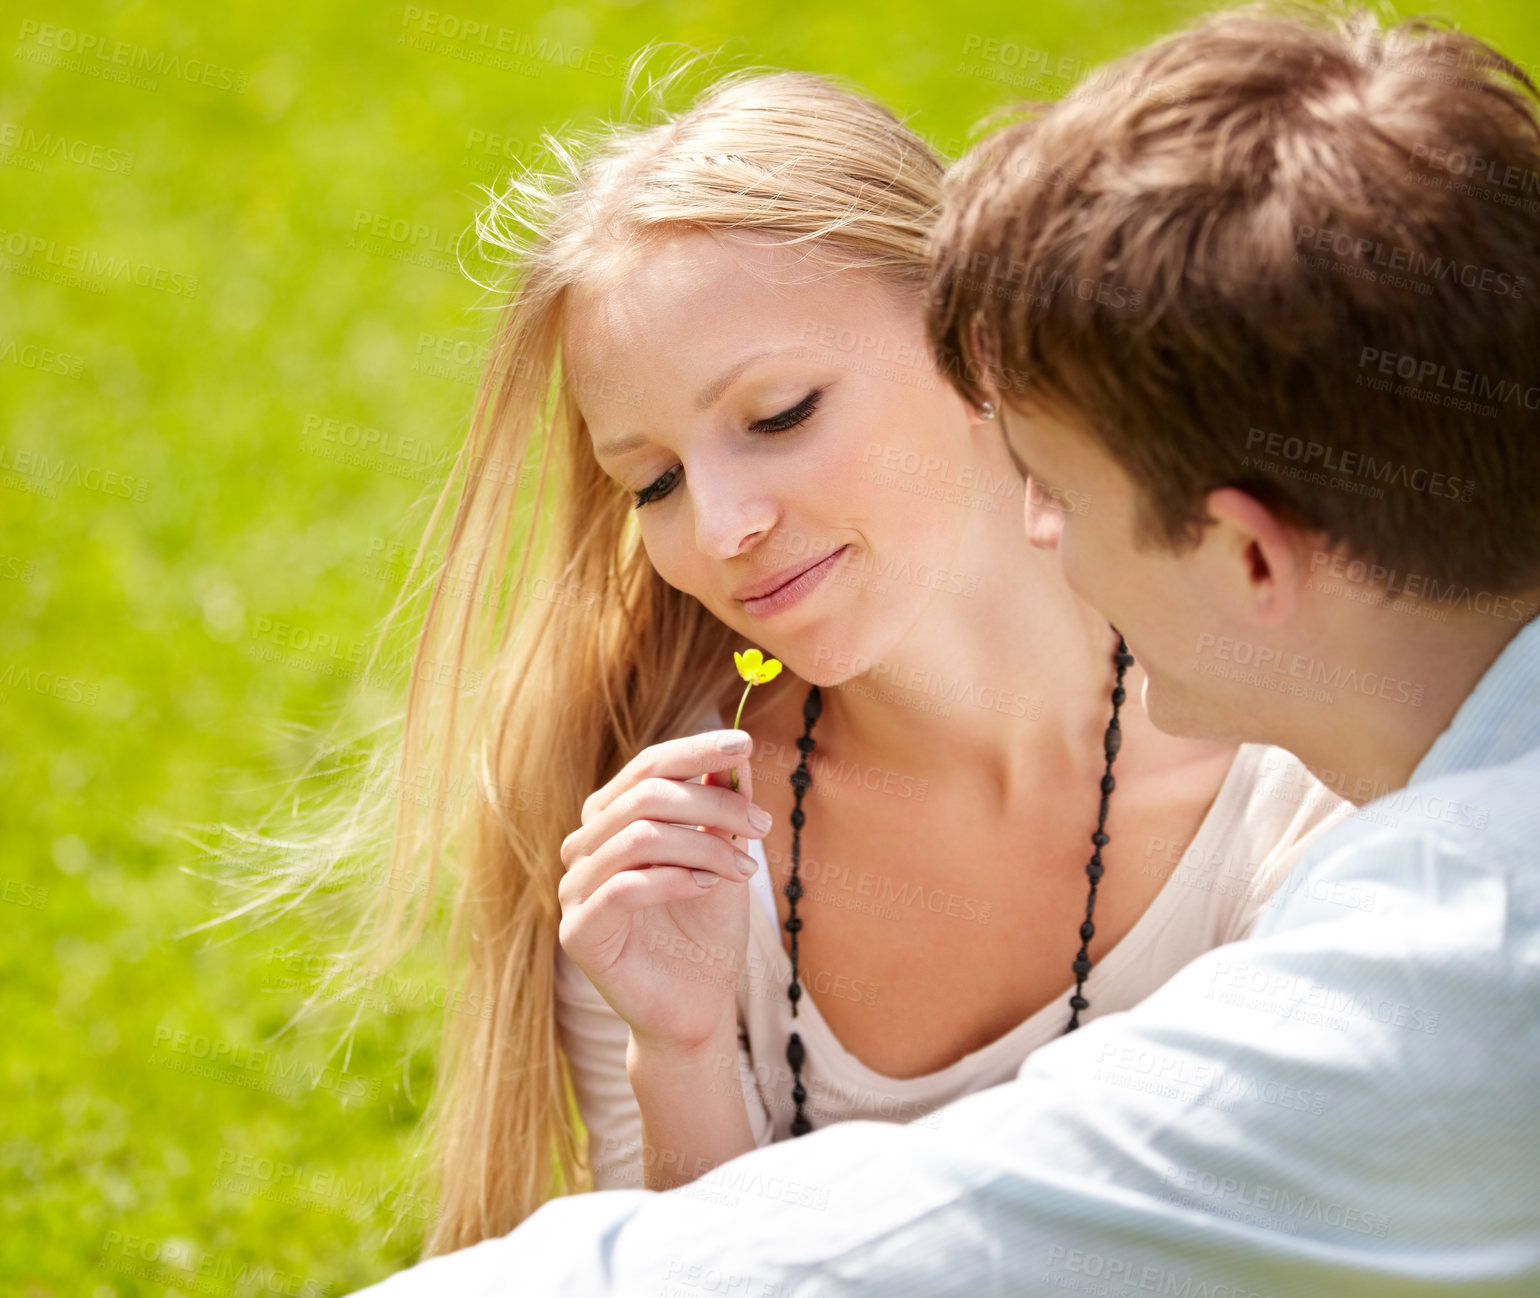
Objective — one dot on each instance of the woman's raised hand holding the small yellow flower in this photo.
(654, 900)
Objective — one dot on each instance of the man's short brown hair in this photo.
(1296, 255)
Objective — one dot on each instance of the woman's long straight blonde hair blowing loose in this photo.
(580, 655)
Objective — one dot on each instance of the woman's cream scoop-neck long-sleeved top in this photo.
(1268, 809)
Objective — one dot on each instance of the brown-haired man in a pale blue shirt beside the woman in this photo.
(1262, 296)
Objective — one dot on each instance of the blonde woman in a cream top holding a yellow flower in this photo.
(711, 423)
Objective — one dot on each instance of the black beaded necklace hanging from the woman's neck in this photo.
(802, 781)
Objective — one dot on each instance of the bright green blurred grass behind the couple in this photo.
(187, 512)
